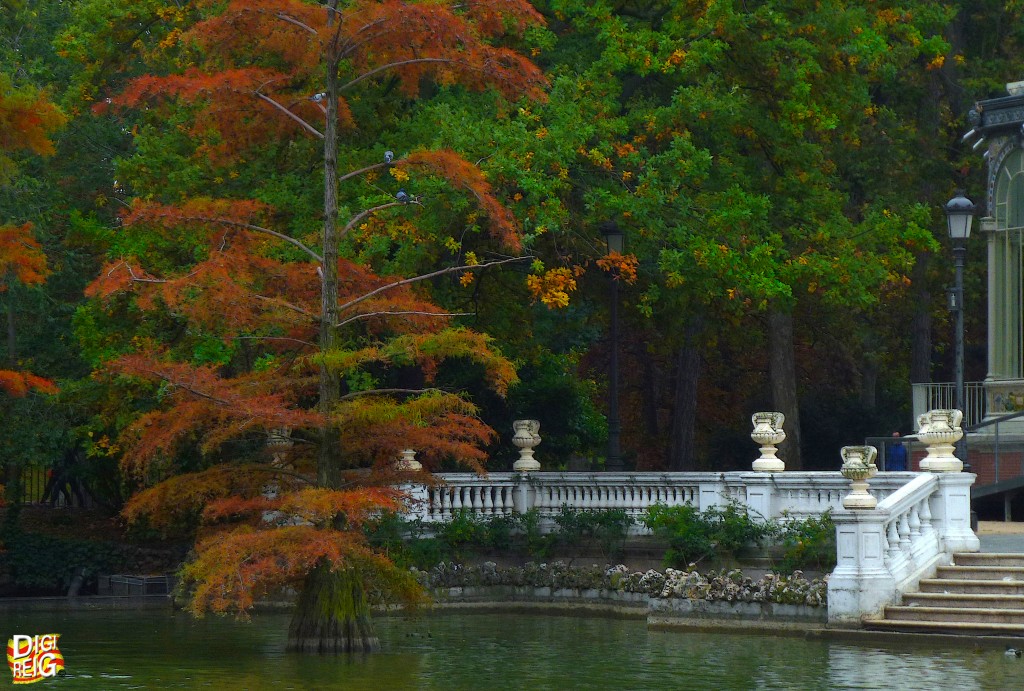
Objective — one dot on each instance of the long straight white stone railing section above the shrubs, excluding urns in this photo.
(772, 496)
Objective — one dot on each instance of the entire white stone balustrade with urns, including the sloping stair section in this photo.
(892, 529)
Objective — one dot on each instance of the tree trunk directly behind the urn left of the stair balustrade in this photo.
(783, 373)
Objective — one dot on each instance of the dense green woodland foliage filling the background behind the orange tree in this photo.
(775, 160)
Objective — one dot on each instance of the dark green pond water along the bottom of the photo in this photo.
(150, 650)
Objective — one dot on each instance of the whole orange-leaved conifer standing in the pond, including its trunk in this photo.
(344, 367)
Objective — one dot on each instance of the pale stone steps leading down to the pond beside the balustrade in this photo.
(982, 594)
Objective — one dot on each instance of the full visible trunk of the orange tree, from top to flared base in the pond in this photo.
(332, 615)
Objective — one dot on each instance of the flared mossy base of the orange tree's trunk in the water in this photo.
(333, 616)
